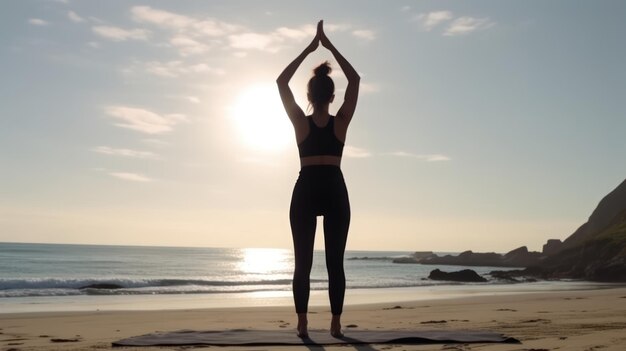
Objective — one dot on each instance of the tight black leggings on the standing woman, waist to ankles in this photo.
(319, 191)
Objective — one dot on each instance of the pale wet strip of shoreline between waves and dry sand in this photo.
(86, 303)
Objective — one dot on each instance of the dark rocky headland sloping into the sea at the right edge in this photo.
(596, 251)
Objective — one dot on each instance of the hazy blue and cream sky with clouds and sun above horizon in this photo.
(481, 125)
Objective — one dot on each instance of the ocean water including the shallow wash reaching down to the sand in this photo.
(38, 276)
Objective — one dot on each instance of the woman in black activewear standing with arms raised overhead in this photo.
(320, 189)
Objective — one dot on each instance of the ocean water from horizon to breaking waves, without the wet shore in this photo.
(63, 270)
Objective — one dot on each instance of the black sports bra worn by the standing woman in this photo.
(321, 141)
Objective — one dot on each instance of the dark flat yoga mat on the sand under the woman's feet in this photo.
(247, 337)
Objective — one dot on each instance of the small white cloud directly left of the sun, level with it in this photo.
(143, 120)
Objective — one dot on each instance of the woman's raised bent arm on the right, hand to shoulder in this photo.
(352, 91)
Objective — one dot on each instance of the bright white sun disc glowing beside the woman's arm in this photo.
(261, 120)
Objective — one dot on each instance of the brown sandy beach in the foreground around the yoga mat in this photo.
(574, 320)
